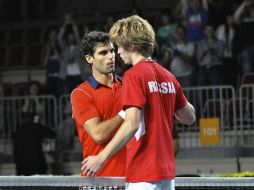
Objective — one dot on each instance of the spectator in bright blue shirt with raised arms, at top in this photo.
(196, 17)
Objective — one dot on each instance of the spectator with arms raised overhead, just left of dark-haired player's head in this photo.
(72, 69)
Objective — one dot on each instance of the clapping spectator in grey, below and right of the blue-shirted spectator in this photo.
(209, 54)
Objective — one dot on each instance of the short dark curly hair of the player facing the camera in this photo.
(90, 41)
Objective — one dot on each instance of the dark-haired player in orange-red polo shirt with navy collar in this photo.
(97, 102)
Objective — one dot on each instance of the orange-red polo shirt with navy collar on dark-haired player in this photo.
(92, 99)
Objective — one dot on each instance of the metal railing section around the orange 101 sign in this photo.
(210, 102)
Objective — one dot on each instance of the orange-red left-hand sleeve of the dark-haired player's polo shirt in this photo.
(83, 107)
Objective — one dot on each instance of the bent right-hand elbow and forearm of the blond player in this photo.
(186, 115)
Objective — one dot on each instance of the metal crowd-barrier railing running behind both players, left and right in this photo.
(235, 116)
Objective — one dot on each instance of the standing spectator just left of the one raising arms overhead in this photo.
(52, 60)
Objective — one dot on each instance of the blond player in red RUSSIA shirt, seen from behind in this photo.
(151, 98)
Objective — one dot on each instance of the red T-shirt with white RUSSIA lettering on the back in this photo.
(149, 86)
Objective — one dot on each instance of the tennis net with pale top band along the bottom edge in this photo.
(116, 183)
